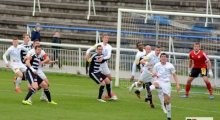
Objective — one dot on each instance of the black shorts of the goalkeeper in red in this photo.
(196, 71)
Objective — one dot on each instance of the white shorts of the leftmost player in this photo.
(16, 67)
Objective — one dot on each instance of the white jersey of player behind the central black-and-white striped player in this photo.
(107, 50)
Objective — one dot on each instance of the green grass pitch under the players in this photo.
(76, 97)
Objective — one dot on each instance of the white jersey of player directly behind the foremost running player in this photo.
(153, 59)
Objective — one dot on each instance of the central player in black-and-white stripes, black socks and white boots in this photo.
(94, 72)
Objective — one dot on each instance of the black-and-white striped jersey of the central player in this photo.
(94, 64)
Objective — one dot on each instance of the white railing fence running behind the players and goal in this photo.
(73, 61)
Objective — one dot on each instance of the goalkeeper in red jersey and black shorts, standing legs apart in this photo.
(199, 60)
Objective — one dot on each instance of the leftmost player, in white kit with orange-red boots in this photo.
(15, 61)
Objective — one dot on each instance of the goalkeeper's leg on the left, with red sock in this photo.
(194, 73)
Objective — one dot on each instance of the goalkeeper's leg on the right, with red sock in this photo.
(204, 73)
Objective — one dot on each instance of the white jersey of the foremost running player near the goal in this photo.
(164, 71)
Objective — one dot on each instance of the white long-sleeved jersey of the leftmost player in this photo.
(14, 53)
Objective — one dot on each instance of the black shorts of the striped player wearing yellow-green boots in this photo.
(31, 77)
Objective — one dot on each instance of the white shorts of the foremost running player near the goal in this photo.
(165, 86)
